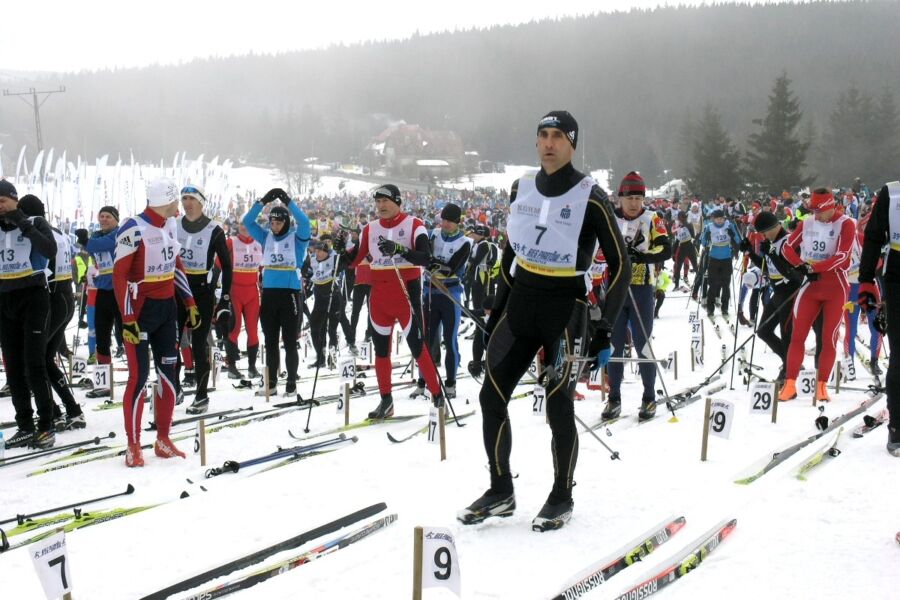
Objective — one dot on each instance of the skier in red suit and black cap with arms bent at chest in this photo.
(395, 242)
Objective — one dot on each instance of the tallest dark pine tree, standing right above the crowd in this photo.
(777, 156)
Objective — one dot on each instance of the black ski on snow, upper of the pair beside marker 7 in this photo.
(260, 555)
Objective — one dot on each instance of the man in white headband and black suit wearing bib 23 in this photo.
(202, 240)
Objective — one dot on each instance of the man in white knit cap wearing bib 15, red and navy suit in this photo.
(146, 274)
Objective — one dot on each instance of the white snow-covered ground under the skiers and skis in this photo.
(829, 537)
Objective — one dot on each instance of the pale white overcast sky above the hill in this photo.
(94, 34)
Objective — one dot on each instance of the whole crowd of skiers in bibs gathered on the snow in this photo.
(564, 272)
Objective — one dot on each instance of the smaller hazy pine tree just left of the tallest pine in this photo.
(716, 162)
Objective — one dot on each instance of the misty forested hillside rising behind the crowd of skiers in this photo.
(645, 87)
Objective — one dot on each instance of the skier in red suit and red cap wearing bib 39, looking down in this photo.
(824, 244)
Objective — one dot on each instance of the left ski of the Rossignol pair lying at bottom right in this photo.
(636, 550)
